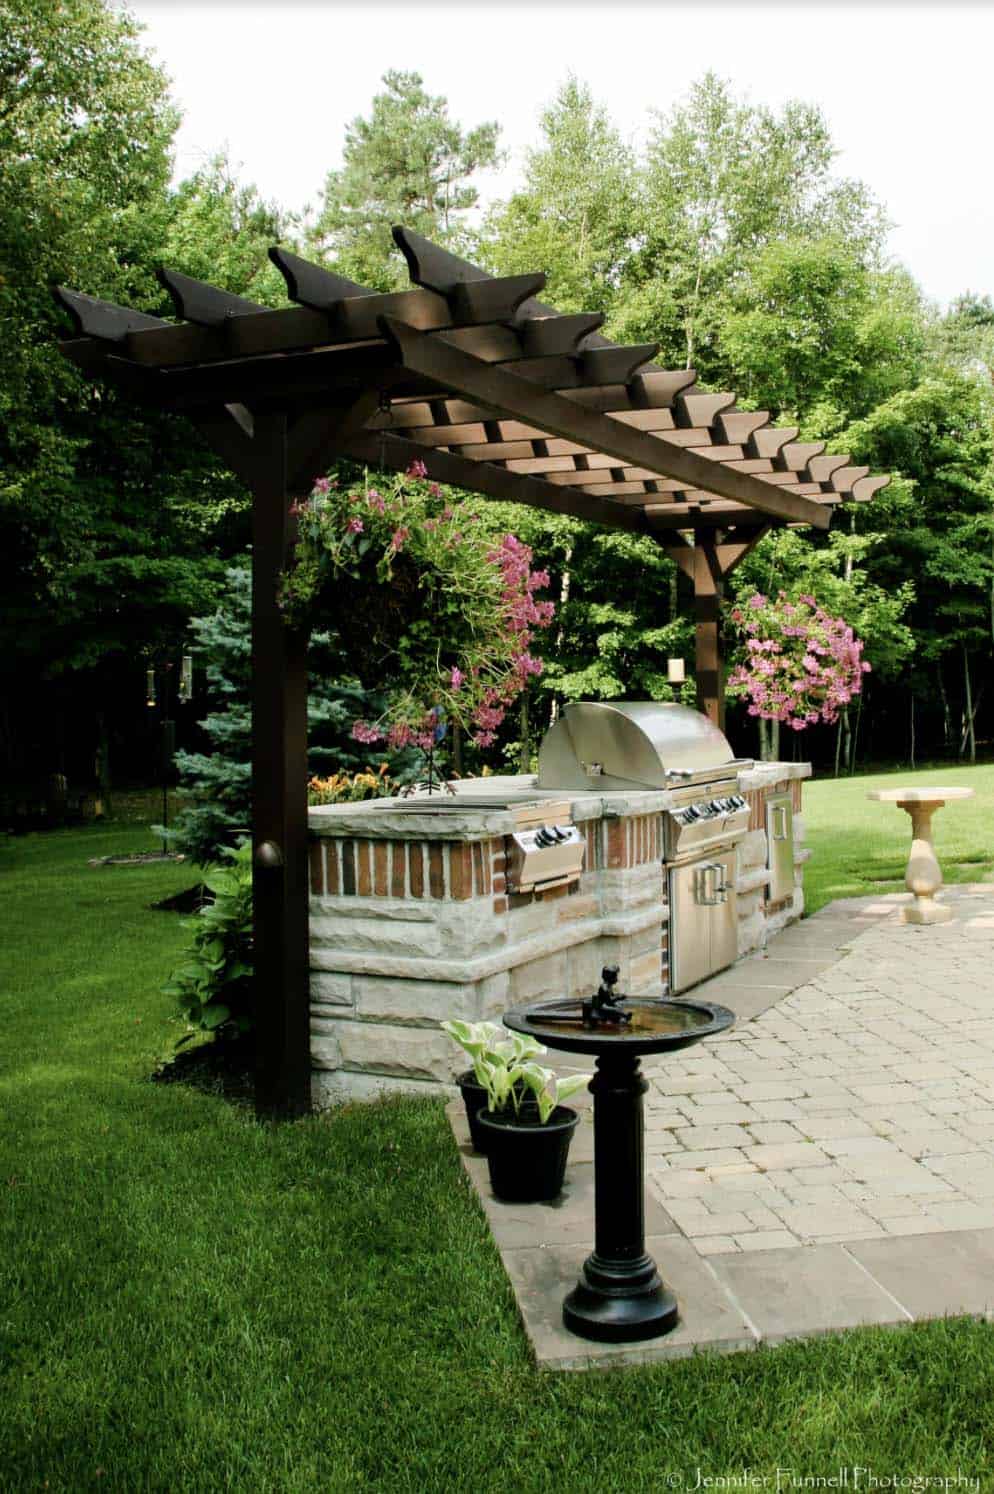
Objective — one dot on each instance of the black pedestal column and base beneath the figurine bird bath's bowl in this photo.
(620, 1298)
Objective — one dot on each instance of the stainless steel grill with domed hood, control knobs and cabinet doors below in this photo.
(643, 745)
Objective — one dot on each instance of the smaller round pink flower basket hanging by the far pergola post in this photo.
(802, 666)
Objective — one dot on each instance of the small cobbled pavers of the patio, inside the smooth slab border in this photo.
(865, 1096)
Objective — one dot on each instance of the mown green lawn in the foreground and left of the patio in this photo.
(191, 1301)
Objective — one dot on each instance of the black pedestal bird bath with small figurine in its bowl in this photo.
(621, 1296)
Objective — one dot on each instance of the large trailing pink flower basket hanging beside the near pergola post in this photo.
(433, 610)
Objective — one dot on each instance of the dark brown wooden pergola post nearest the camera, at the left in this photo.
(280, 846)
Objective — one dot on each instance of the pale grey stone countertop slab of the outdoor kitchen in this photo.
(439, 818)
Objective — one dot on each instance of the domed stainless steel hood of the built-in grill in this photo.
(624, 745)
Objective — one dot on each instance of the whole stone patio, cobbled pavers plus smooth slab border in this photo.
(827, 1163)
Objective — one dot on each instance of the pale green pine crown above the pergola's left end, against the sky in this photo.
(407, 164)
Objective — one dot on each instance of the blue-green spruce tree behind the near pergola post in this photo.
(220, 781)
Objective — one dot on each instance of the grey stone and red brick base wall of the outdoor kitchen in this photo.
(412, 924)
